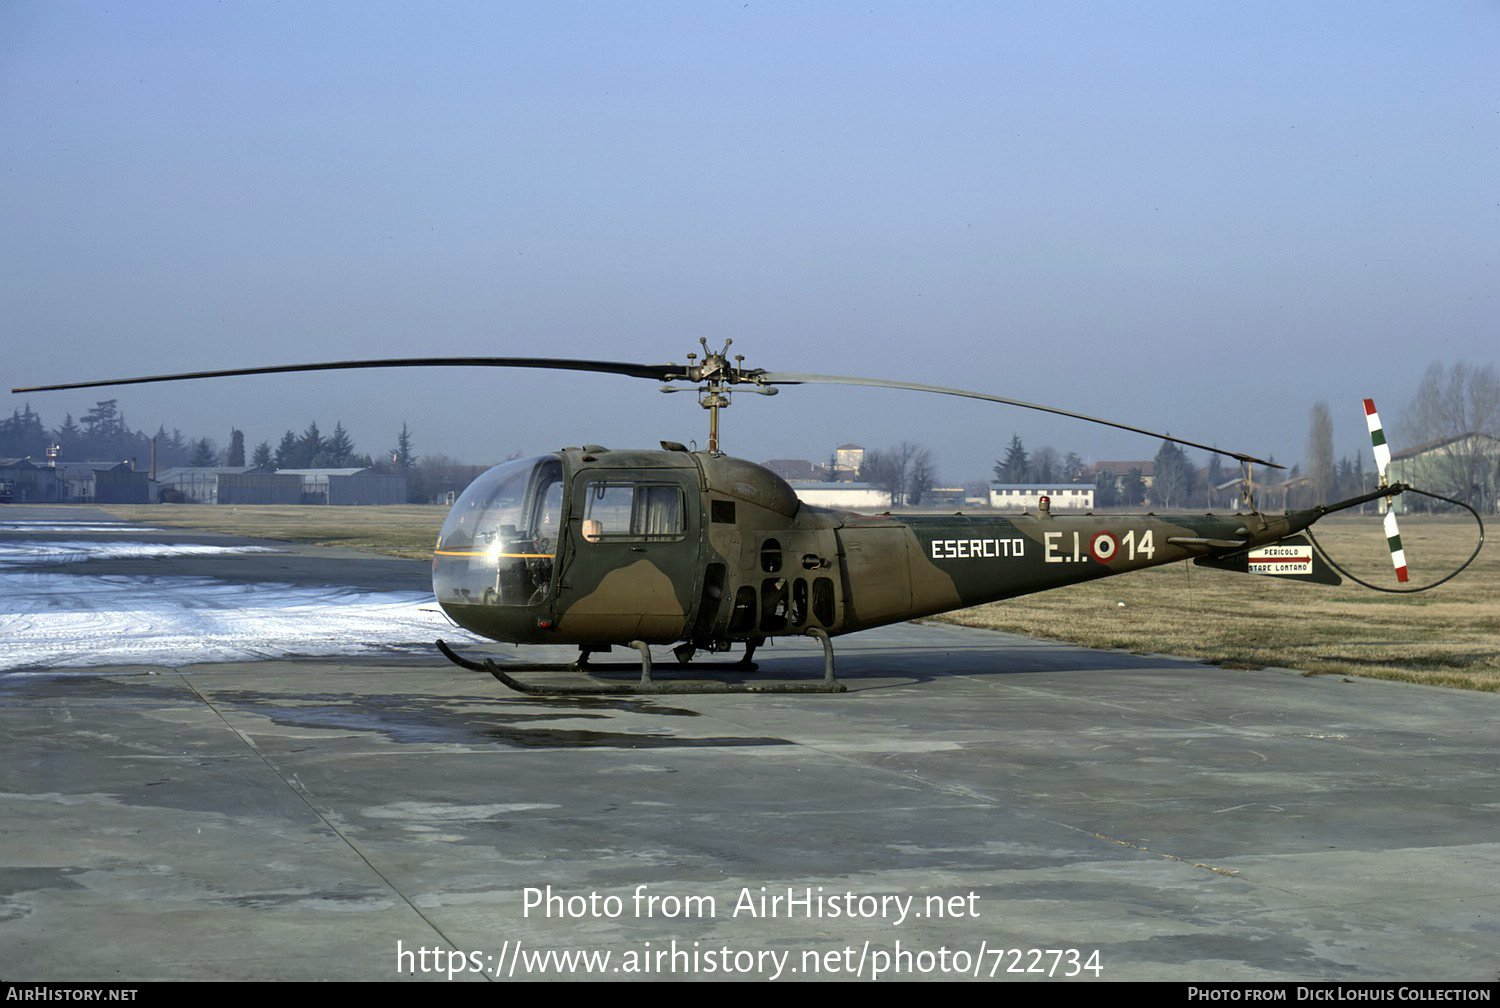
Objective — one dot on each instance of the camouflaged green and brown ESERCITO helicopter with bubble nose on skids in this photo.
(695, 550)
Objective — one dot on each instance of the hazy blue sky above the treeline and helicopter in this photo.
(1193, 217)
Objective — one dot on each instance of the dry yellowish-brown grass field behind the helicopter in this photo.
(1448, 637)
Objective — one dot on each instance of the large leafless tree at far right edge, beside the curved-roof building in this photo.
(1453, 428)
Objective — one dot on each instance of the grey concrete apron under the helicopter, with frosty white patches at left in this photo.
(344, 817)
